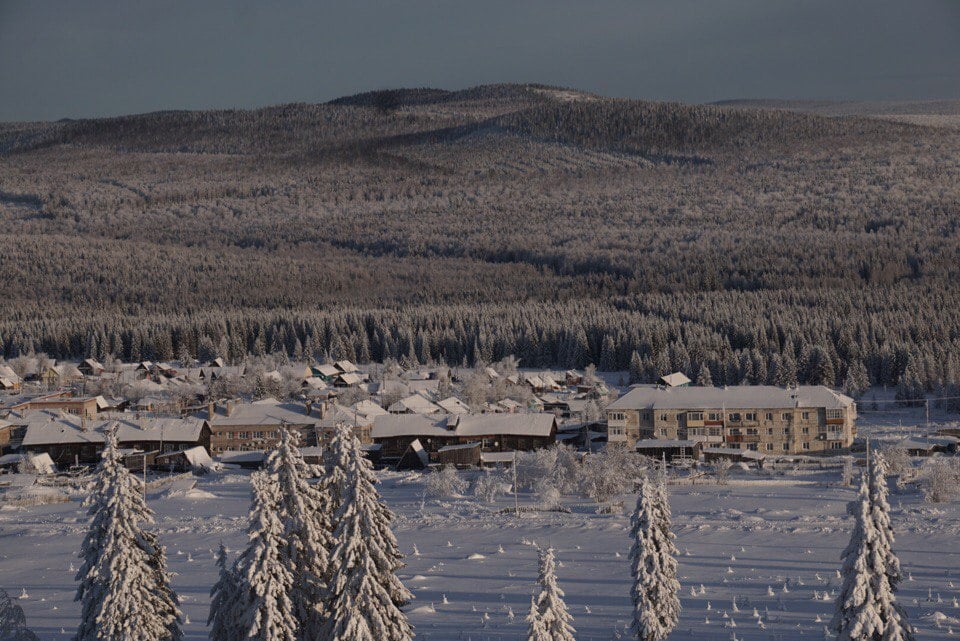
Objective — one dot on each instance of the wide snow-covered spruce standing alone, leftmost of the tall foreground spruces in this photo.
(124, 590)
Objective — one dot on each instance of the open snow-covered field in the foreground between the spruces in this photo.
(477, 564)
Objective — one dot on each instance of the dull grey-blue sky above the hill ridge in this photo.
(70, 58)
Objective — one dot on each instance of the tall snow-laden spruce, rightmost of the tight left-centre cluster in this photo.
(365, 595)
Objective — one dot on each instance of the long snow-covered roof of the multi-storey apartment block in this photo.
(738, 397)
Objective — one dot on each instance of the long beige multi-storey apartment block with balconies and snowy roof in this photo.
(773, 420)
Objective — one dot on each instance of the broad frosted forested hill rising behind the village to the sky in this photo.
(465, 224)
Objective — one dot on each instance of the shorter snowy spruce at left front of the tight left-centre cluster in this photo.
(265, 612)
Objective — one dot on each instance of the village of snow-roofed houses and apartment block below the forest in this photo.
(182, 416)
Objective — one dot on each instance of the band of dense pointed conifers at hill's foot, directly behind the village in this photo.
(774, 337)
